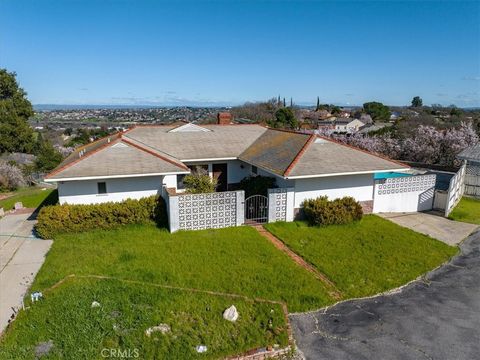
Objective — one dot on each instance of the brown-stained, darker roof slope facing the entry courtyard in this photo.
(275, 150)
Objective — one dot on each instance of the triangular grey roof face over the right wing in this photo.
(324, 157)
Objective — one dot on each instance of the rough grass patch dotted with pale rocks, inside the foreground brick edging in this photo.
(78, 331)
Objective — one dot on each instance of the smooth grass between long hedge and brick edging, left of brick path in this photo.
(234, 260)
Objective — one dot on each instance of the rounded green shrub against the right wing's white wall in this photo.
(321, 211)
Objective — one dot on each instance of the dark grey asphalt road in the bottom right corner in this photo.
(437, 318)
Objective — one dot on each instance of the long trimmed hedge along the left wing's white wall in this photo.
(53, 220)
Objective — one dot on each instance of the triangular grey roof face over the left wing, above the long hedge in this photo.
(116, 159)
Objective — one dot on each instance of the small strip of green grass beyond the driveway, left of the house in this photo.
(32, 197)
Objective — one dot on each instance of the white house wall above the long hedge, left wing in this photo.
(85, 191)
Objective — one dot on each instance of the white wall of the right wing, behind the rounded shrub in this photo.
(359, 187)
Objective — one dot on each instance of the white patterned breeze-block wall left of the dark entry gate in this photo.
(205, 211)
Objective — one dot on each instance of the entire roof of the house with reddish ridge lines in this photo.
(160, 150)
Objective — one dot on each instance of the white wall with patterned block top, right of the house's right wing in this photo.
(404, 194)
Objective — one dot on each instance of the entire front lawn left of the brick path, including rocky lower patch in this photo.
(233, 260)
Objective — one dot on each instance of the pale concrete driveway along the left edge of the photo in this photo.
(21, 256)
